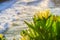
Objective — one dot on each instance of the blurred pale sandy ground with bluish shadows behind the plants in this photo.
(14, 12)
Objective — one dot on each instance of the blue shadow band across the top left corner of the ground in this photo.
(6, 4)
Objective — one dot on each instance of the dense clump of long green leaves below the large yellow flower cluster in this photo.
(46, 29)
